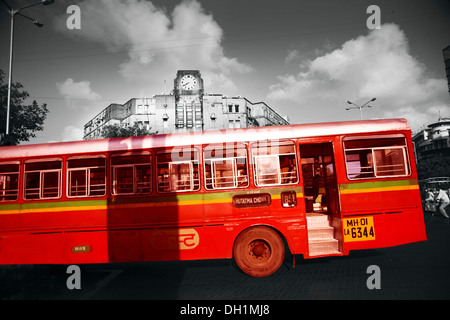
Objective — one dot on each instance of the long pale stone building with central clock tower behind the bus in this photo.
(187, 108)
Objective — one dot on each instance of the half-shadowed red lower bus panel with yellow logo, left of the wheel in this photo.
(165, 228)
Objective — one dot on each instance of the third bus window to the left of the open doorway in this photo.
(178, 171)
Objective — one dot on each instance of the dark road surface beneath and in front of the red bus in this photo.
(413, 271)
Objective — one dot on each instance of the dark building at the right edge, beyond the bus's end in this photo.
(434, 140)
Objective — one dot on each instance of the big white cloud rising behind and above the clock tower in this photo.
(155, 39)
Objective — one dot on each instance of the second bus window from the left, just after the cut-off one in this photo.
(43, 179)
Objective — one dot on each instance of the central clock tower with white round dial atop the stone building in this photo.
(188, 91)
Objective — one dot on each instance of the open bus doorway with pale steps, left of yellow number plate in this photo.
(321, 198)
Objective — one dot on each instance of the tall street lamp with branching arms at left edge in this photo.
(13, 13)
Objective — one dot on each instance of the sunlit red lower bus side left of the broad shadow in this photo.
(40, 236)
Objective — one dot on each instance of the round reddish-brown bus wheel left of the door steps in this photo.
(259, 251)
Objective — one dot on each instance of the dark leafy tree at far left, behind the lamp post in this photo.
(24, 120)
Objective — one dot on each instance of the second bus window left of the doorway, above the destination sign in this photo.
(225, 167)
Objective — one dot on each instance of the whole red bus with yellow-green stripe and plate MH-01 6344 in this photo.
(250, 194)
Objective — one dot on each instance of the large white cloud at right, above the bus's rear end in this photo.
(379, 65)
